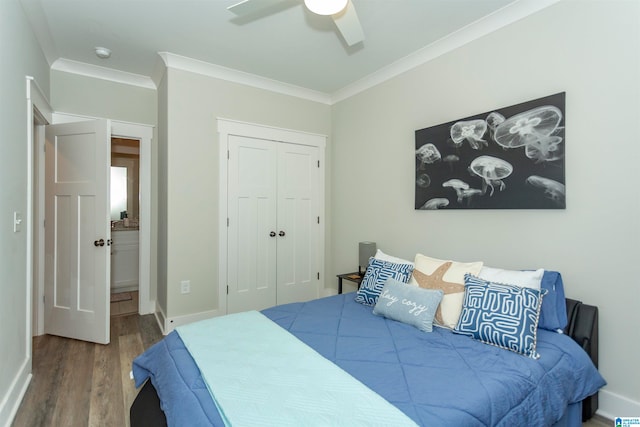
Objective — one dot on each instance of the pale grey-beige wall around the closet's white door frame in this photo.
(194, 101)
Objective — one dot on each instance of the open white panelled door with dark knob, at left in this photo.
(77, 231)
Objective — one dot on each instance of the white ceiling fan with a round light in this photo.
(342, 12)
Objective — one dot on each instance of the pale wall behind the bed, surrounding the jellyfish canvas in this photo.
(588, 49)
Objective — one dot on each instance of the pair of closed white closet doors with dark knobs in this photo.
(273, 226)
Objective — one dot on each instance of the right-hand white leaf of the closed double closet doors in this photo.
(298, 223)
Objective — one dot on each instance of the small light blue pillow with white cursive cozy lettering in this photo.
(408, 304)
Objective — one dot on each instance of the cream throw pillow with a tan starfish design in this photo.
(448, 276)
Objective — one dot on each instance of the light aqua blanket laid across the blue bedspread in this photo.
(260, 375)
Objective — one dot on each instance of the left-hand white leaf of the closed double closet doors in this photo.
(251, 241)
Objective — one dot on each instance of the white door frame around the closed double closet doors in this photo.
(226, 128)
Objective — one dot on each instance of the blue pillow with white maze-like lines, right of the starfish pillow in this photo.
(502, 315)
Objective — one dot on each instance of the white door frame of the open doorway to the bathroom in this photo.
(143, 133)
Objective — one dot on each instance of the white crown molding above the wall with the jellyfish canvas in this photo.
(507, 15)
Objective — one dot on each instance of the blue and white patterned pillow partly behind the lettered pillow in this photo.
(376, 275)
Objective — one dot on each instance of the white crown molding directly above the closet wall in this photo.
(216, 71)
